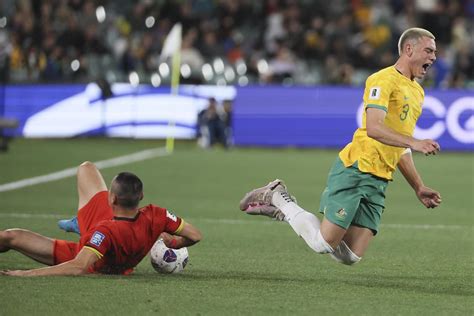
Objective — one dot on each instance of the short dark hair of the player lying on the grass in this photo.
(128, 188)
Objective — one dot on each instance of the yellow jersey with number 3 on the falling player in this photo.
(402, 99)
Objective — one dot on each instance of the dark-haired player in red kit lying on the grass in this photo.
(115, 234)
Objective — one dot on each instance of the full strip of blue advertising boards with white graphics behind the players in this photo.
(262, 115)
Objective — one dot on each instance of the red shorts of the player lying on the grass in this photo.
(96, 210)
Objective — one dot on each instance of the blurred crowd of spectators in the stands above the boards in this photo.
(229, 41)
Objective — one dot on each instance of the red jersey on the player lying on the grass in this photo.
(121, 243)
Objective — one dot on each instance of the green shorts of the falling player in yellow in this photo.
(353, 197)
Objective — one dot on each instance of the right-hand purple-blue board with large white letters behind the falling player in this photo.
(328, 116)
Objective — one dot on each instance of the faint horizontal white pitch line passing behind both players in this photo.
(228, 221)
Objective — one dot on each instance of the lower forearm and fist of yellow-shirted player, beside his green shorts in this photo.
(428, 197)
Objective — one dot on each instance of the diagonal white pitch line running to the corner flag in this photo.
(69, 172)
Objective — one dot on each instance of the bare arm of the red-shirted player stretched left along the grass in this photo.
(77, 266)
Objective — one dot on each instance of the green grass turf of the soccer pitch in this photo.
(247, 265)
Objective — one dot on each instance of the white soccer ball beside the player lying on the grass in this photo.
(167, 260)
